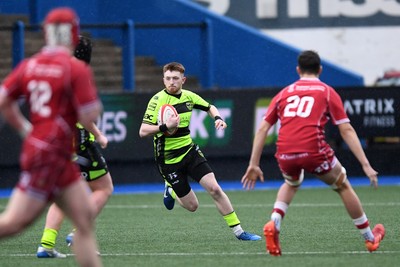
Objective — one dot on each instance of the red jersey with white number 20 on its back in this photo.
(303, 109)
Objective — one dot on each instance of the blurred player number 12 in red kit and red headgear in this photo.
(60, 91)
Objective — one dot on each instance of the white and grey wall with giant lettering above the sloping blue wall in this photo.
(359, 35)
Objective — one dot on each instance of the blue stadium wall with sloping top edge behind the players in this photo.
(224, 53)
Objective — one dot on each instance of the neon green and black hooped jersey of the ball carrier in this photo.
(171, 149)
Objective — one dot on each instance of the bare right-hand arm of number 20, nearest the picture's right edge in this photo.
(349, 135)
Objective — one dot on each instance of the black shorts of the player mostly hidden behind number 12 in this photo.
(91, 162)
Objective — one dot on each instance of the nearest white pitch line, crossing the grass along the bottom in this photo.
(290, 253)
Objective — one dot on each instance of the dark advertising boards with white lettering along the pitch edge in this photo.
(374, 112)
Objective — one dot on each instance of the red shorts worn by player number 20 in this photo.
(314, 163)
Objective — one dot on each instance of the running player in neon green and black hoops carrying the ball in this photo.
(178, 157)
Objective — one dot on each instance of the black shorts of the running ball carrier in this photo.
(193, 165)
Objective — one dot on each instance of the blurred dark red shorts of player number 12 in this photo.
(46, 172)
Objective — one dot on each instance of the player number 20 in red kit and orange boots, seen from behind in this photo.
(303, 109)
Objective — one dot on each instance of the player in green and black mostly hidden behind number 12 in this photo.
(93, 169)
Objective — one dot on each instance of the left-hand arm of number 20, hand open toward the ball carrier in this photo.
(254, 171)
